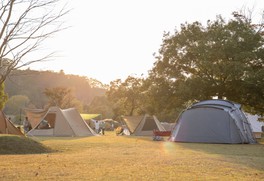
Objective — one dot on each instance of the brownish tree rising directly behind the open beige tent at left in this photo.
(63, 98)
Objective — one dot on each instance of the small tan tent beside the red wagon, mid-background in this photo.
(142, 125)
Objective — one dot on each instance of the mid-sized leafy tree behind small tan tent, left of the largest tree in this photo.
(126, 96)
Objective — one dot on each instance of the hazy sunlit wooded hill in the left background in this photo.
(32, 84)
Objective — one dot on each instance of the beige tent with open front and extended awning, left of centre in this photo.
(58, 122)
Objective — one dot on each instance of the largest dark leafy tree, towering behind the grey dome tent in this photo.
(224, 59)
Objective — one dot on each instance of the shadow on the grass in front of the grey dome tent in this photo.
(250, 155)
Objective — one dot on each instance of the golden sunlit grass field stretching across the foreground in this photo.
(113, 157)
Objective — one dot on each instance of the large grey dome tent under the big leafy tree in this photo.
(213, 121)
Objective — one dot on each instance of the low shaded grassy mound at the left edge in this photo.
(12, 144)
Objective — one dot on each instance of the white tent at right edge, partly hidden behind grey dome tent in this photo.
(255, 124)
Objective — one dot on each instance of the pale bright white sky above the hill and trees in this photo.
(113, 39)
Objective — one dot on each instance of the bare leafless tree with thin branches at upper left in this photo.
(24, 25)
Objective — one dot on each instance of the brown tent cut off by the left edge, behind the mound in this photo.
(7, 127)
